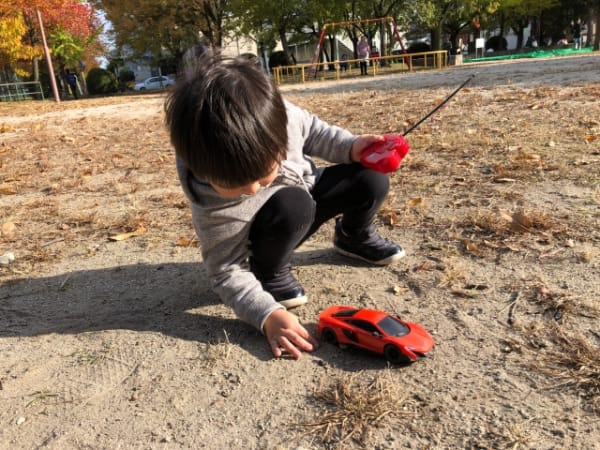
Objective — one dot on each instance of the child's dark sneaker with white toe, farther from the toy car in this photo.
(367, 246)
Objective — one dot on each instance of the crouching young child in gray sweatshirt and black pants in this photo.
(244, 158)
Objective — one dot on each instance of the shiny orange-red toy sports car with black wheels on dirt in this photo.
(377, 331)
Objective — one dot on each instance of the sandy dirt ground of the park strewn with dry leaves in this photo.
(110, 337)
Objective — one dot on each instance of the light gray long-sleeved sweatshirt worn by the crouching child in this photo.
(223, 224)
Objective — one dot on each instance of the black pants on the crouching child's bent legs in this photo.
(292, 215)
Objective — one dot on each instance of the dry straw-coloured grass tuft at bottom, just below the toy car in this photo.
(353, 406)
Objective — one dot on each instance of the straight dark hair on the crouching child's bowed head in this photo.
(227, 120)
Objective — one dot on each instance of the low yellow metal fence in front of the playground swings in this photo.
(381, 65)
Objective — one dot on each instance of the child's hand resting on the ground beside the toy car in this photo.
(284, 333)
